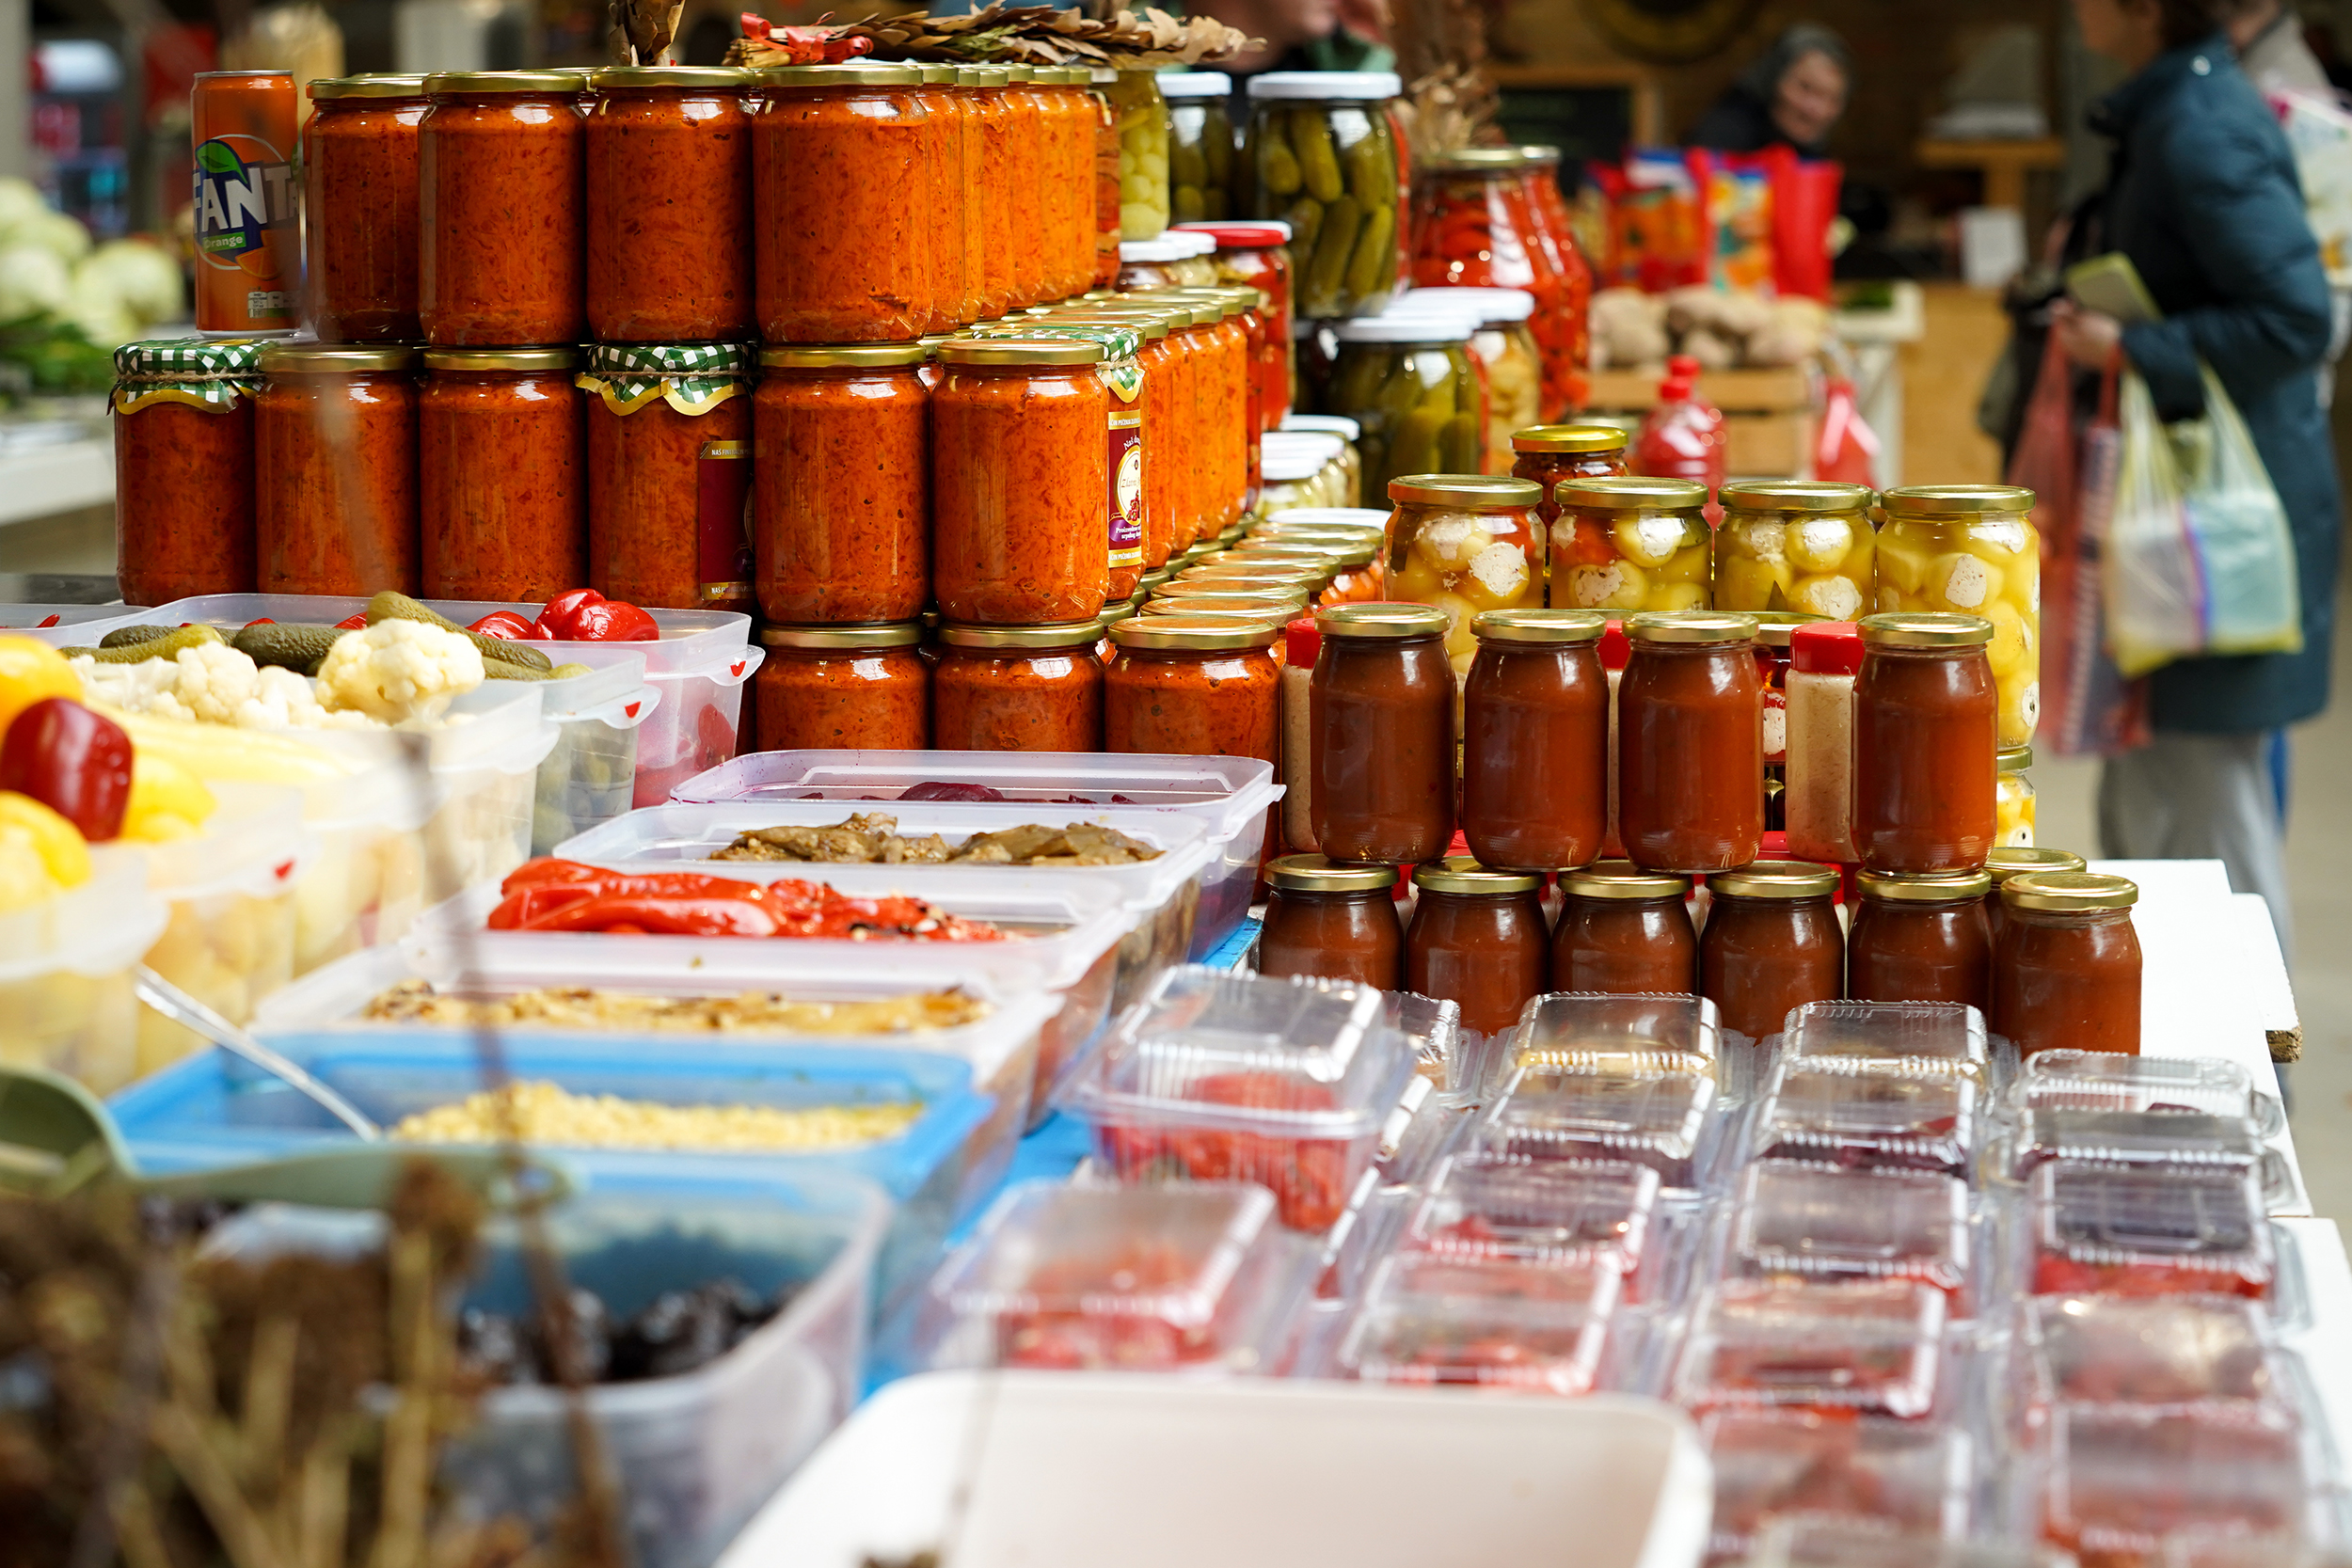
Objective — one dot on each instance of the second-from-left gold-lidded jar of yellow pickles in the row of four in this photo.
(1631, 544)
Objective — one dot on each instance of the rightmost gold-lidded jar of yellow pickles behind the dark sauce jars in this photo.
(1972, 551)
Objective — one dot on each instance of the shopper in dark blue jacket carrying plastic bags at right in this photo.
(2205, 203)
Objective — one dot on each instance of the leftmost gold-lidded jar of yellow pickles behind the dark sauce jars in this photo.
(1464, 544)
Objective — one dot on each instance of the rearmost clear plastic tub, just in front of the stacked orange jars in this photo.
(1234, 796)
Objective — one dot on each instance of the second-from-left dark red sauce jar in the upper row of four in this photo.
(1537, 739)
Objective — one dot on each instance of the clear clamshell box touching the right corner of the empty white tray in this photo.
(1895, 1475)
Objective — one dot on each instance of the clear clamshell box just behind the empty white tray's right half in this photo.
(1535, 1329)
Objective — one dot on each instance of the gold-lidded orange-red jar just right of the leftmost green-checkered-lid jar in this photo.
(335, 462)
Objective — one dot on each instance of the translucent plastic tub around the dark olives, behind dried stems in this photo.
(700, 1452)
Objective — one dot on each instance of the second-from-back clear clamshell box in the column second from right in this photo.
(1845, 1115)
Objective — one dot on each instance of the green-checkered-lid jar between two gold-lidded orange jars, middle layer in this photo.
(669, 471)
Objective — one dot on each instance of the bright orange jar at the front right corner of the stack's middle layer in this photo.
(1020, 483)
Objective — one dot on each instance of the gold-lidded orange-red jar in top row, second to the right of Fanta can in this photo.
(502, 210)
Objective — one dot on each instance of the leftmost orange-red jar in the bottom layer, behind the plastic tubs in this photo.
(843, 688)
